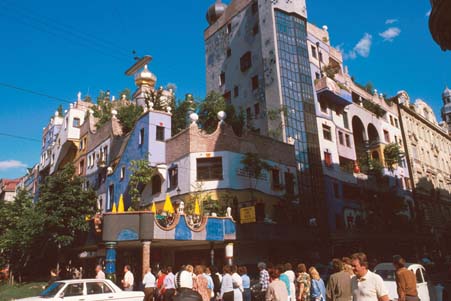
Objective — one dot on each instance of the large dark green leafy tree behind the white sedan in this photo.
(65, 206)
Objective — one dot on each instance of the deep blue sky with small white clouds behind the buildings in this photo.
(59, 48)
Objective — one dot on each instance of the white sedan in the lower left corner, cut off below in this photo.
(86, 290)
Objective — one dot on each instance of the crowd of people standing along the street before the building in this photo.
(351, 280)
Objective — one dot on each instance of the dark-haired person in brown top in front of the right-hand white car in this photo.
(406, 282)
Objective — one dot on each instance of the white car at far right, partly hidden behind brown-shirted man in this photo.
(387, 272)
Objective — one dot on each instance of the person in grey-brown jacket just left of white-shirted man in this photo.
(339, 284)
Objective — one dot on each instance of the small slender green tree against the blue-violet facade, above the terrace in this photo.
(141, 175)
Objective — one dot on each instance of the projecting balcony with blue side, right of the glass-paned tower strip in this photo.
(330, 91)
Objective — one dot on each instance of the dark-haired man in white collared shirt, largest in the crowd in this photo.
(366, 285)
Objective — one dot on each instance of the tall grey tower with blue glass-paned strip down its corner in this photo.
(257, 58)
